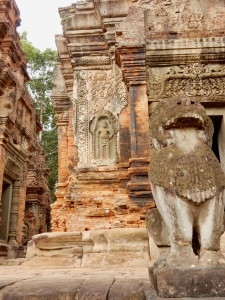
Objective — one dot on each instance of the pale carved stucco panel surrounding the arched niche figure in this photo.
(98, 96)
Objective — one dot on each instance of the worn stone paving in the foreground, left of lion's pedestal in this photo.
(18, 282)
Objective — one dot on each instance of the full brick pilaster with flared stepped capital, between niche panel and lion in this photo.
(134, 73)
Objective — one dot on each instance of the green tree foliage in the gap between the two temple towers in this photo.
(41, 67)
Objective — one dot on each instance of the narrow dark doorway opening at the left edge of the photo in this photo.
(6, 208)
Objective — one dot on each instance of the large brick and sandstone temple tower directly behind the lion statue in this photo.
(117, 60)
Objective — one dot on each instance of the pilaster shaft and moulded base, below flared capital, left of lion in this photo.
(139, 188)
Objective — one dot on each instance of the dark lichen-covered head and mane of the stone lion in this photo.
(196, 175)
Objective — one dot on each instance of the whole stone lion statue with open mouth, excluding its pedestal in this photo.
(187, 181)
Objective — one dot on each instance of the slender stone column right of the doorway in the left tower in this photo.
(13, 246)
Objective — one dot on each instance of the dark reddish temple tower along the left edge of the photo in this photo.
(24, 194)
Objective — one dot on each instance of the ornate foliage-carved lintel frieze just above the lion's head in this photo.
(191, 80)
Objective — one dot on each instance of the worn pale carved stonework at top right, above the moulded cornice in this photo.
(186, 18)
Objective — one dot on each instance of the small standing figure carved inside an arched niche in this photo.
(104, 138)
